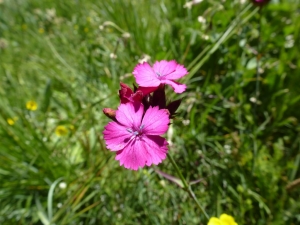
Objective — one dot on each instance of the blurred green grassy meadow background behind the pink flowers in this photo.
(237, 128)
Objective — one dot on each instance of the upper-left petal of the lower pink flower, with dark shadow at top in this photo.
(130, 114)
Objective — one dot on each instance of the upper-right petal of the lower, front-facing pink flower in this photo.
(155, 121)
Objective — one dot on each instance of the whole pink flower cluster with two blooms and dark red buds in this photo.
(144, 115)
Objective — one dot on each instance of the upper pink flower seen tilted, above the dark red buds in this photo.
(162, 72)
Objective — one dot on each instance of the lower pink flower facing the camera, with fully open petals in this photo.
(135, 137)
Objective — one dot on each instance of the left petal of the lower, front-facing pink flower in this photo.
(116, 136)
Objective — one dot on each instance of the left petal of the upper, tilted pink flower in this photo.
(145, 76)
